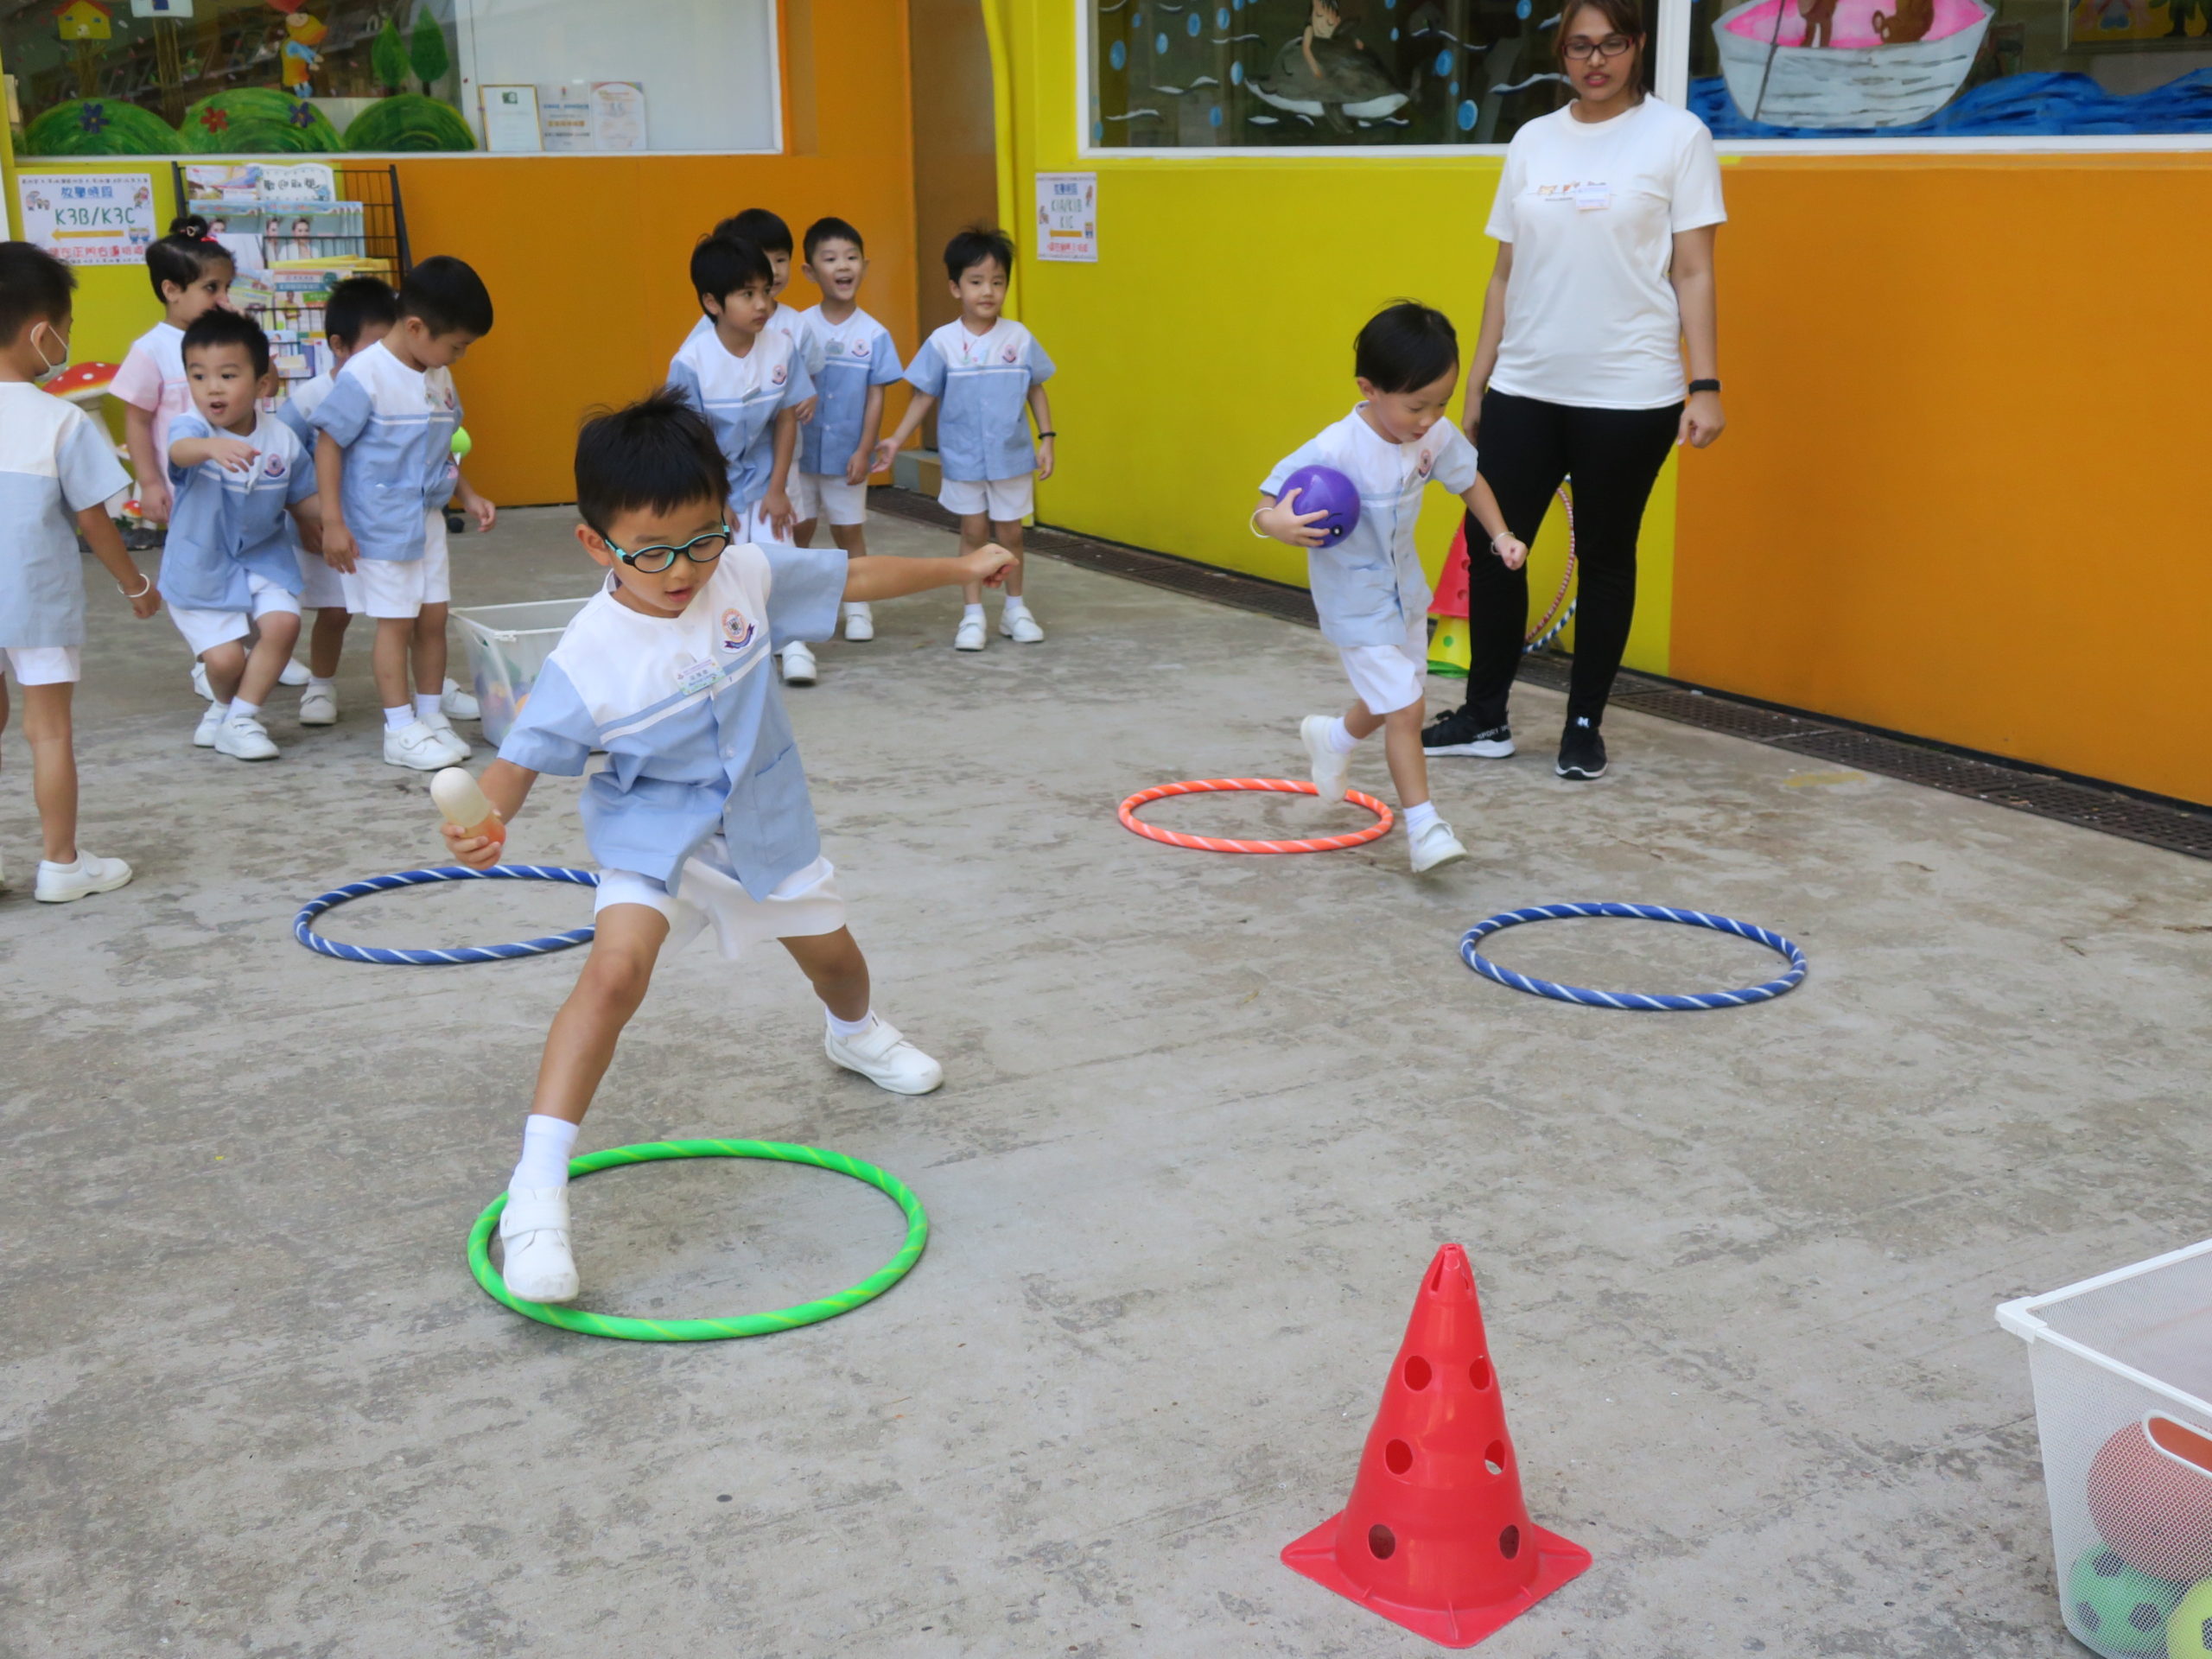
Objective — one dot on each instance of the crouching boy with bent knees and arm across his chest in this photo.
(229, 567)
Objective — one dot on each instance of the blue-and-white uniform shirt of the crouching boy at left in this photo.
(229, 525)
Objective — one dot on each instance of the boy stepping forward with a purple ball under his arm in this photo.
(1368, 583)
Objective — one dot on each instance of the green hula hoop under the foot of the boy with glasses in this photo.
(709, 1331)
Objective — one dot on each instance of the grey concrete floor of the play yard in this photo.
(1207, 1123)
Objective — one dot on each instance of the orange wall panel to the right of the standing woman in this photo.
(1957, 497)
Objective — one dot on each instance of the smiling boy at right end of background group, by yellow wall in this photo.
(985, 371)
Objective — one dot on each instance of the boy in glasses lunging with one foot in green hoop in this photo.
(700, 817)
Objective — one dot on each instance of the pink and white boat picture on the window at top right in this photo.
(1859, 79)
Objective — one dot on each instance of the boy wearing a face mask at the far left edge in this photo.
(56, 474)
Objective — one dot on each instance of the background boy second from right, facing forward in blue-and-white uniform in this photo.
(839, 444)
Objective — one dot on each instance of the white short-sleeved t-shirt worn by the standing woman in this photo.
(1592, 213)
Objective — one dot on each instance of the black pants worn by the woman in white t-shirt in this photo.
(1527, 448)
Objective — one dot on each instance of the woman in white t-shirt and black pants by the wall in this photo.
(1600, 351)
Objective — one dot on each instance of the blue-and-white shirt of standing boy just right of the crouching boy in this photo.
(397, 432)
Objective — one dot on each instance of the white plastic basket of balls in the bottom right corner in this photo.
(2122, 1366)
